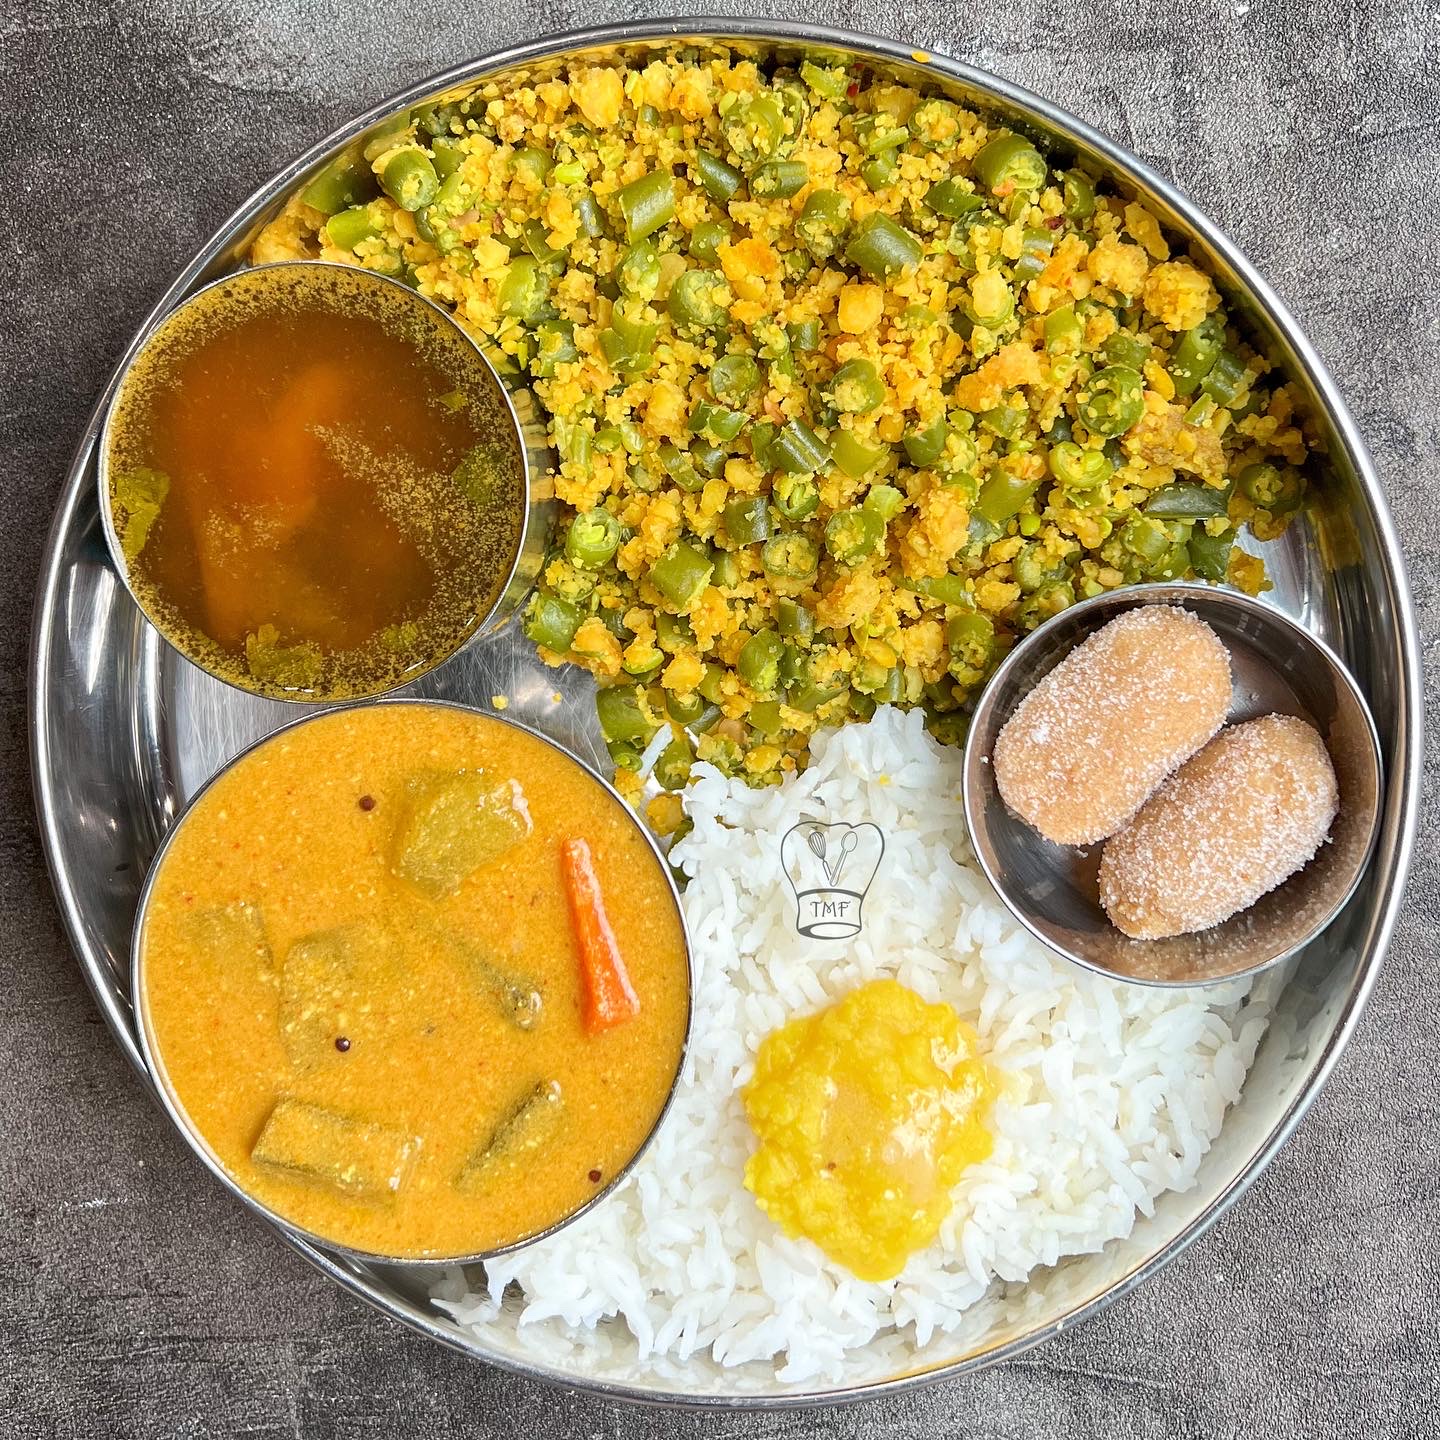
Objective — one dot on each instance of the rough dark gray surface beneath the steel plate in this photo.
(135, 1298)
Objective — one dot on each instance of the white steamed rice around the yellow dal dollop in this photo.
(1114, 1095)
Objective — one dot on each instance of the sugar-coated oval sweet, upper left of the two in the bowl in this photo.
(1088, 747)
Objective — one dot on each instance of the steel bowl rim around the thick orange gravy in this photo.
(175, 1108)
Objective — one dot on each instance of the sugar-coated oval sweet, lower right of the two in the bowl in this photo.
(1230, 826)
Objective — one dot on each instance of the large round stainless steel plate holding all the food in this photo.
(123, 732)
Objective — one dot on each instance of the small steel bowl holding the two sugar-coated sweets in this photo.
(1278, 667)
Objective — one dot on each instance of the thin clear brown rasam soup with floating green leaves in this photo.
(315, 485)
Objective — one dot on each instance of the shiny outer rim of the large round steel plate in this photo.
(1395, 849)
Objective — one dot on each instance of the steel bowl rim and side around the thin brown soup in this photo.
(512, 408)
